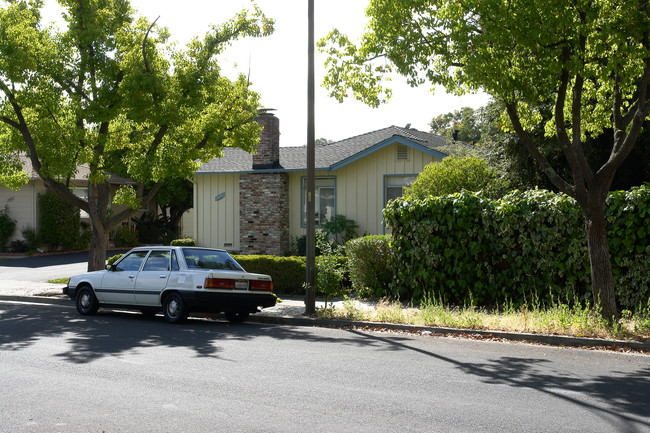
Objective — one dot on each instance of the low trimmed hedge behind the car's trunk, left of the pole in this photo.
(288, 273)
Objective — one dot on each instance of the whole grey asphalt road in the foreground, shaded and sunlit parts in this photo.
(120, 372)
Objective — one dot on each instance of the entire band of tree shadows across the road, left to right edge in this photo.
(623, 396)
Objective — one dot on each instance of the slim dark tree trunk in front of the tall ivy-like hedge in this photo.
(602, 279)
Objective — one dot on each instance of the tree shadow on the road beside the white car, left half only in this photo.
(113, 333)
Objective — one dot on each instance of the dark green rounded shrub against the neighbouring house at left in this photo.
(60, 223)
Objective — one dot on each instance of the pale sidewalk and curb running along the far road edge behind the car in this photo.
(291, 312)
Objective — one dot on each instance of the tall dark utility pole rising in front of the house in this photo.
(310, 296)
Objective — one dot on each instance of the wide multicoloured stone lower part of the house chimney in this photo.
(264, 213)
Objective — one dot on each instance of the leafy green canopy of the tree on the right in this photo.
(515, 50)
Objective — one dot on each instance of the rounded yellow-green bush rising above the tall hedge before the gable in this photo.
(454, 174)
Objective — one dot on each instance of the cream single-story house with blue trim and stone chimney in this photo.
(255, 204)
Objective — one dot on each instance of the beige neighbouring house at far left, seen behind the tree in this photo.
(23, 204)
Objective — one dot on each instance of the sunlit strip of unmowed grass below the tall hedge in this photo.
(560, 319)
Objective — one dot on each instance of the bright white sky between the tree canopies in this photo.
(278, 65)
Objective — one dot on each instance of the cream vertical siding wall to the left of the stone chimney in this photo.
(217, 221)
